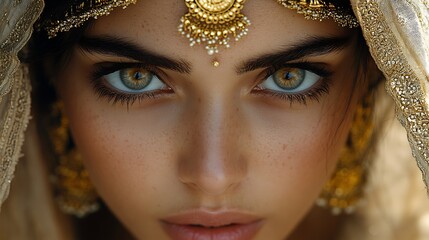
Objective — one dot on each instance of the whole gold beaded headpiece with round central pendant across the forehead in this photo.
(211, 22)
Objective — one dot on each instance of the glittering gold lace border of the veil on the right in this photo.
(402, 82)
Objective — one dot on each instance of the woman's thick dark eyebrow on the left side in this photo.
(122, 48)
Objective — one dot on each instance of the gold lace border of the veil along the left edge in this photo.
(15, 92)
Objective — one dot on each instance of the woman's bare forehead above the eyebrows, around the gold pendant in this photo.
(154, 25)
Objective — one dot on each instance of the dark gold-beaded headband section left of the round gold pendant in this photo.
(79, 13)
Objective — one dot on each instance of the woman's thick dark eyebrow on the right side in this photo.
(311, 46)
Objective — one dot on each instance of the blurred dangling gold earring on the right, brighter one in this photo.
(345, 189)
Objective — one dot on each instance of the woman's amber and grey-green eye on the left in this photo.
(134, 80)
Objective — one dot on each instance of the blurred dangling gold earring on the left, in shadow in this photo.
(75, 193)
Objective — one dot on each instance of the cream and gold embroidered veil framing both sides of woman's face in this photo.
(396, 31)
